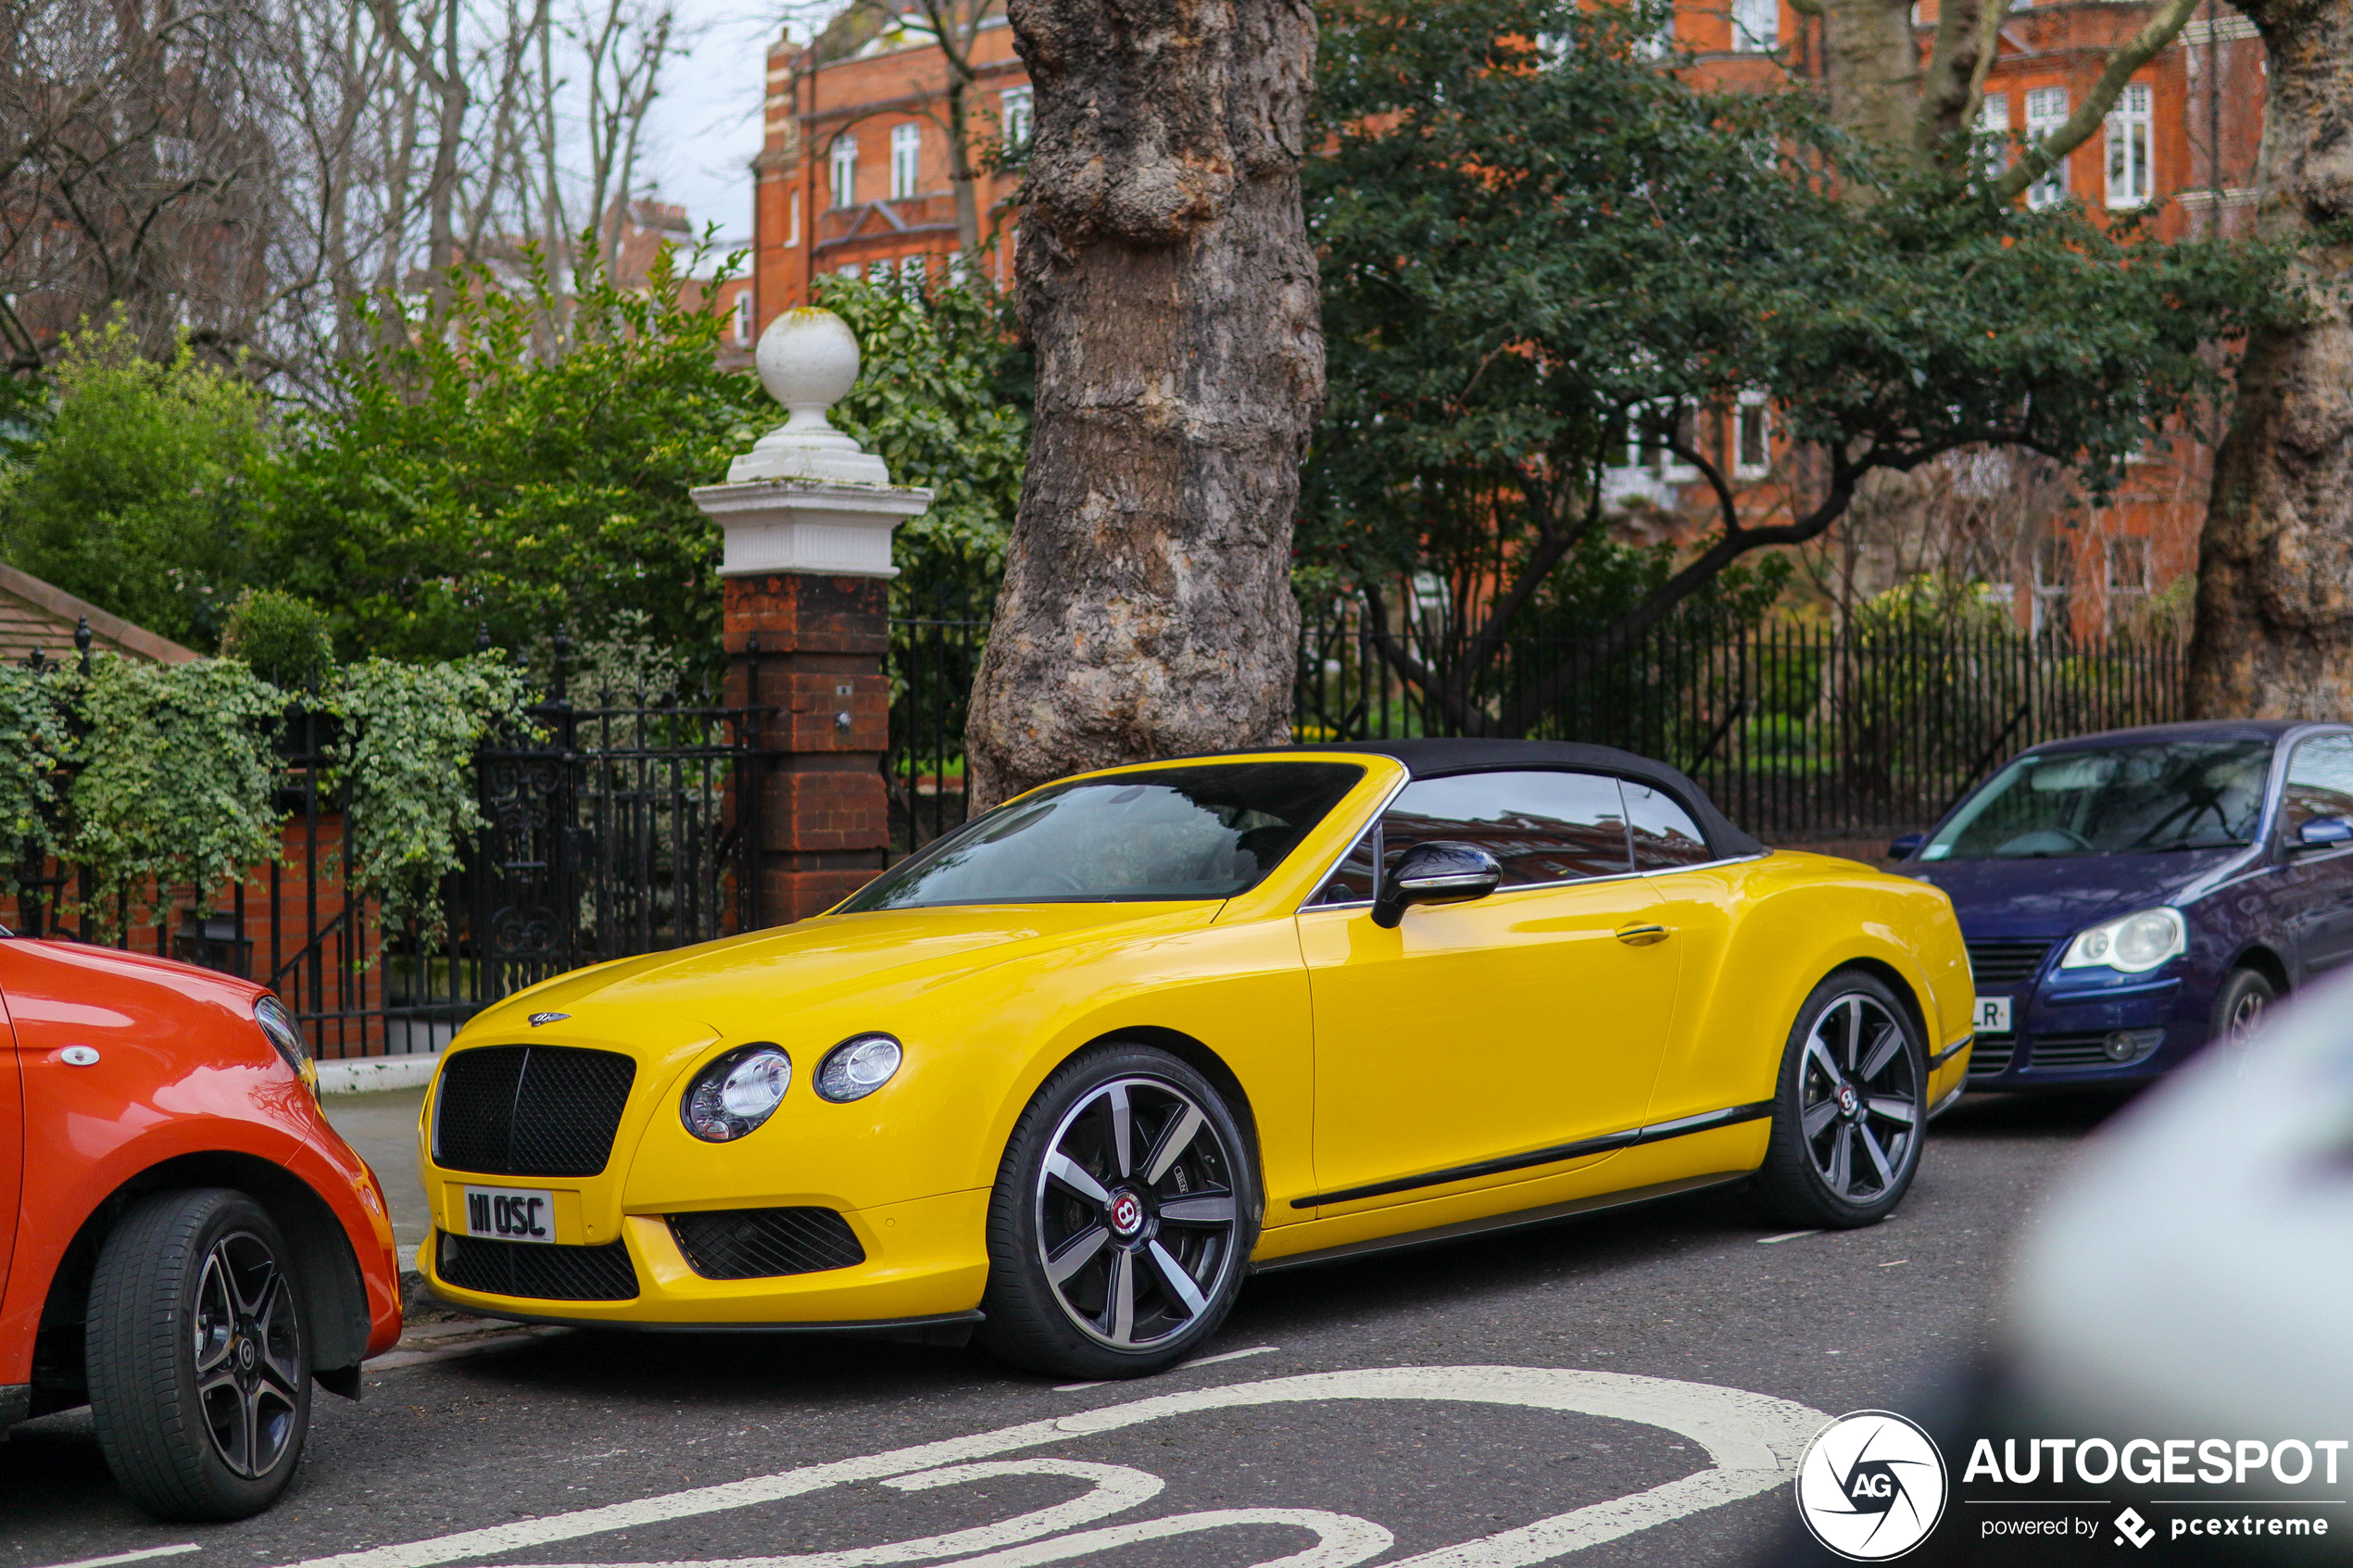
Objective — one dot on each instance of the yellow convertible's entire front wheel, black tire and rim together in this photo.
(1076, 1226)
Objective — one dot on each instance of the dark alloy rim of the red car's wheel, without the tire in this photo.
(248, 1355)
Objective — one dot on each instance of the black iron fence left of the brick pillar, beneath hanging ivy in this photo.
(611, 831)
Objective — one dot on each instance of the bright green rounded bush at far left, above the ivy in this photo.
(138, 490)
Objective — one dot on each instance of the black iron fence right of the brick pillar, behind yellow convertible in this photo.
(1801, 735)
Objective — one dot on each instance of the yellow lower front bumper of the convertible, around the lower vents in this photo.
(926, 1266)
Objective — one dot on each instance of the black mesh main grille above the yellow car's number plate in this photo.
(531, 1111)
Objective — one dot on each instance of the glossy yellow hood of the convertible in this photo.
(747, 984)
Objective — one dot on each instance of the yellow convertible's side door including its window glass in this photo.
(1495, 1031)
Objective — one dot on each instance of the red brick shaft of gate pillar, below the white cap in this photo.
(808, 648)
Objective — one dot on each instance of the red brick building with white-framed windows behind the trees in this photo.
(855, 180)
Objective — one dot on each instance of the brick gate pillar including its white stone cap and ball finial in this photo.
(806, 521)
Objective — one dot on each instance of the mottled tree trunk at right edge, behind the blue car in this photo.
(2277, 561)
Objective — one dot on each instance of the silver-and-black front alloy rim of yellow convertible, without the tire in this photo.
(1138, 1214)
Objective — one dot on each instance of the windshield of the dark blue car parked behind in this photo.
(2112, 800)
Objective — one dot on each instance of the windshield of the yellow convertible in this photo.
(1168, 833)
